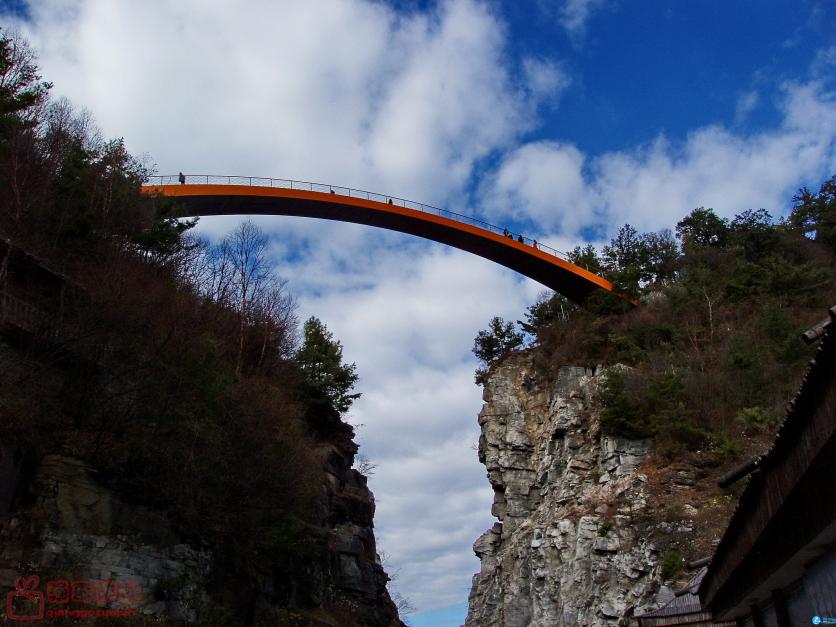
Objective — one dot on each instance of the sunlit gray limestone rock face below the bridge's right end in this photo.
(567, 550)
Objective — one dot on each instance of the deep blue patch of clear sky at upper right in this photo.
(670, 67)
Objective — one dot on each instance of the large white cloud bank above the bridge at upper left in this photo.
(348, 92)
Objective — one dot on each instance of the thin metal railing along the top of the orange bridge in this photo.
(257, 181)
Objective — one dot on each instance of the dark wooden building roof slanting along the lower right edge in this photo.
(786, 516)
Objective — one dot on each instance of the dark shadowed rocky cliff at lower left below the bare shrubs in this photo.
(94, 548)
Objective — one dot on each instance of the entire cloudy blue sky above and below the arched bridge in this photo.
(560, 118)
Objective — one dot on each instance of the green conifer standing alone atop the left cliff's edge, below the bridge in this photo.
(327, 380)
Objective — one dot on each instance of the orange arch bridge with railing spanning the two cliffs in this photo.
(232, 195)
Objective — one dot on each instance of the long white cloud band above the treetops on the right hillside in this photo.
(654, 186)
